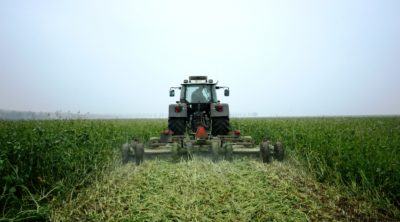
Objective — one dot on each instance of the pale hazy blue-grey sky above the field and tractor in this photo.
(279, 58)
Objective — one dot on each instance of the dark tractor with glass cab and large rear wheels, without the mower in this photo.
(199, 107)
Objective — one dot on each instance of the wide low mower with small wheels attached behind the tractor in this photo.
(187, 147)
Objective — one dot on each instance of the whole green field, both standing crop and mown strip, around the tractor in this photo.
(336, 169)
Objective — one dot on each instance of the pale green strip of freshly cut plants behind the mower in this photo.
(201, 190)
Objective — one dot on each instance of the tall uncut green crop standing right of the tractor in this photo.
(362, 153)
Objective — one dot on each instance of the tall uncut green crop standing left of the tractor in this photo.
(42, 160)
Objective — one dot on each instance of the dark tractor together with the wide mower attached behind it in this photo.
(198, 125)
